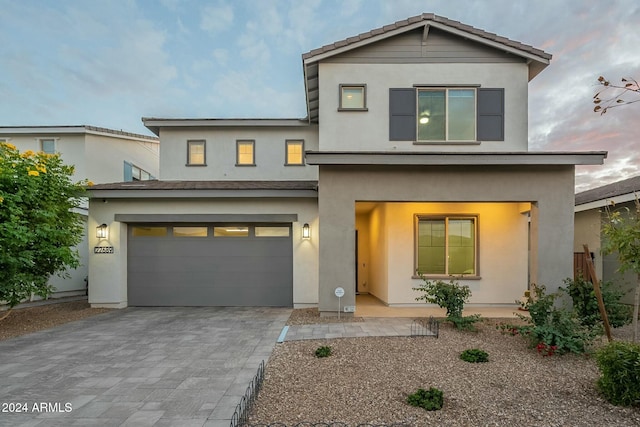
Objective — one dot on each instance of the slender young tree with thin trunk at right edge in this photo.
(622, 235)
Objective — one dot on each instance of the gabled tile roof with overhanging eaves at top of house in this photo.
(536, 58)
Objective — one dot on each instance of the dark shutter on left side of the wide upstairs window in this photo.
(402, 114)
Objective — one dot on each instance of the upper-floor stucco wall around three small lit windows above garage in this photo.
(221, 153)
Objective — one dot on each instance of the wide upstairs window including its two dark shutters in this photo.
(441, 115)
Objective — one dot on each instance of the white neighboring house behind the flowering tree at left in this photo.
(98, 155)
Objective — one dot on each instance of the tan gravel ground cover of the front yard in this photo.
(367, 380)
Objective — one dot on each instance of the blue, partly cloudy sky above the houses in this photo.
(108, 63)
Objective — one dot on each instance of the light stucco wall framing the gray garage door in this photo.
(108, 272)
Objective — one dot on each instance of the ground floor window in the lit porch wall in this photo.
(446, 245)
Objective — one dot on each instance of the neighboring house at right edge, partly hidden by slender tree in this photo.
(589, 216)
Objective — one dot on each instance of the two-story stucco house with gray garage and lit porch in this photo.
(415, 159)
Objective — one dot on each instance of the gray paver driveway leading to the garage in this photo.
(137, 367)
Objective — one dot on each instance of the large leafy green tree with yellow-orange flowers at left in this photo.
(38, 227)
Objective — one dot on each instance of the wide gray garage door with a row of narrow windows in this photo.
(210, 265)
